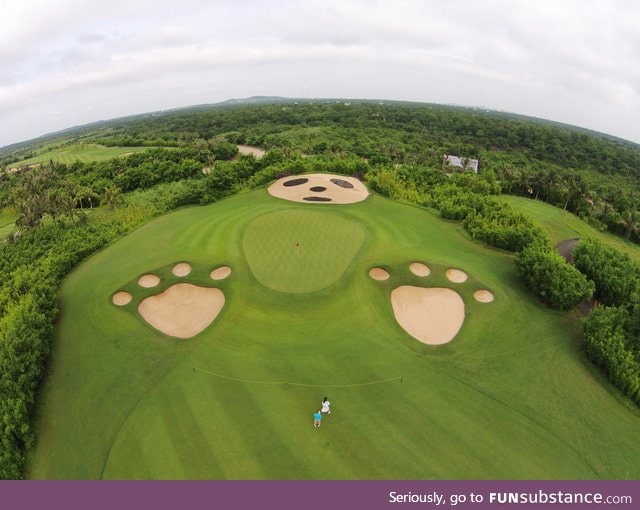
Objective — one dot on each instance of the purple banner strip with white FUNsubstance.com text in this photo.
(318, 495)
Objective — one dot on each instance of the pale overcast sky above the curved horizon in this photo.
(71, 62)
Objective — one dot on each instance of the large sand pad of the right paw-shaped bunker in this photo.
(432, 315)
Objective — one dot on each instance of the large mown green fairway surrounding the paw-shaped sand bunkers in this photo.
(512, 396)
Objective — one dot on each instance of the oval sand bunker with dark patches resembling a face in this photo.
(320, 188)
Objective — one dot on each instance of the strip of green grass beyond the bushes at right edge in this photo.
(560, 225)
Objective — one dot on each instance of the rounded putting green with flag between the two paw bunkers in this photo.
(300, 250)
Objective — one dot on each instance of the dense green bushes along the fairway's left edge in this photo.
(28, 306)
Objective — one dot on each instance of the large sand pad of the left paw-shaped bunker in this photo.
(183, 310)
